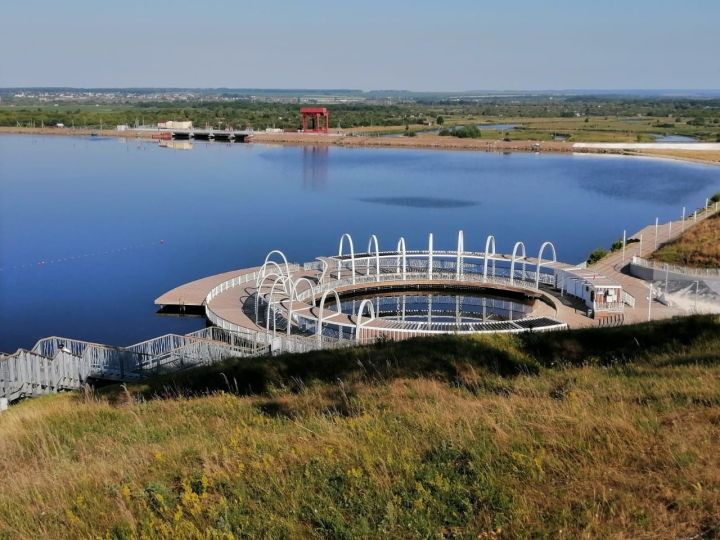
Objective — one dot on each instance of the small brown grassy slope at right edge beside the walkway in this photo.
(698, 247)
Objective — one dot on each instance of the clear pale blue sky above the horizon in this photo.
(367, 44)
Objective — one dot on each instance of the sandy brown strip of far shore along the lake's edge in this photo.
(422, 141)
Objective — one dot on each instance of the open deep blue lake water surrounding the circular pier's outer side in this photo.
(93, 230)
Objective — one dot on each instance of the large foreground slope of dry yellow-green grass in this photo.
(601, 433)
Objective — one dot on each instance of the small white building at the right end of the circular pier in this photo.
(600, 294)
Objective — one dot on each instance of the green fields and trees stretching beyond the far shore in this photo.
(536, 118)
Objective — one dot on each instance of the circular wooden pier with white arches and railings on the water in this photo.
(360, 297)
